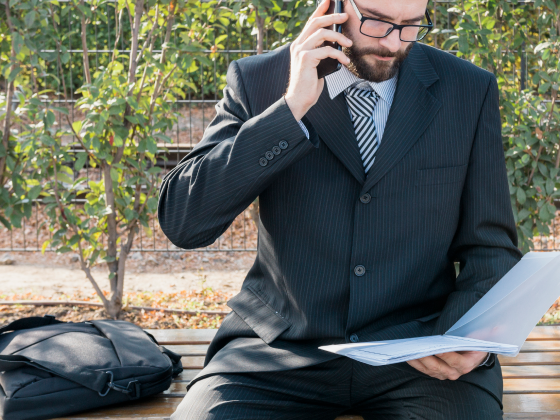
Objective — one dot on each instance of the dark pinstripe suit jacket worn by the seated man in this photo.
(437, 193)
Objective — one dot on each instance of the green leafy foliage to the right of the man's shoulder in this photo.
(507, 38)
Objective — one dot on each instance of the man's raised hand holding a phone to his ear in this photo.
(306, 53)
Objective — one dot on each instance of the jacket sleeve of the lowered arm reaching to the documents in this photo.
(485, 243)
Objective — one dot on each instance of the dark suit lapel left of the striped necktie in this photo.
(332, 122)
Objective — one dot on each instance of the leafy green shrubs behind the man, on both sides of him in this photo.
(100, 98)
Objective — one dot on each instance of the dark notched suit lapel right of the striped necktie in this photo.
(412, 110)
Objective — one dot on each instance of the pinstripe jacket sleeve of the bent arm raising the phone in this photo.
(239, 155)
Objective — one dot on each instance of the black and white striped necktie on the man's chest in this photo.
(362, 103)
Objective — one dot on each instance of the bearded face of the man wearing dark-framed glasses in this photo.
(378, 59)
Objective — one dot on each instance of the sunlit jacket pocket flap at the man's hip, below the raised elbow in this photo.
(264, 320)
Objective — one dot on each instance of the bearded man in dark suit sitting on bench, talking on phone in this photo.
(370, 187)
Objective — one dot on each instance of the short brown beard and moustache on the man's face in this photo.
(381, 70)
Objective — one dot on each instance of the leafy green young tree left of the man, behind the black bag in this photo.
(127, 110)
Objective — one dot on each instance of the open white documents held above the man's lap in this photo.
(498, 323)
